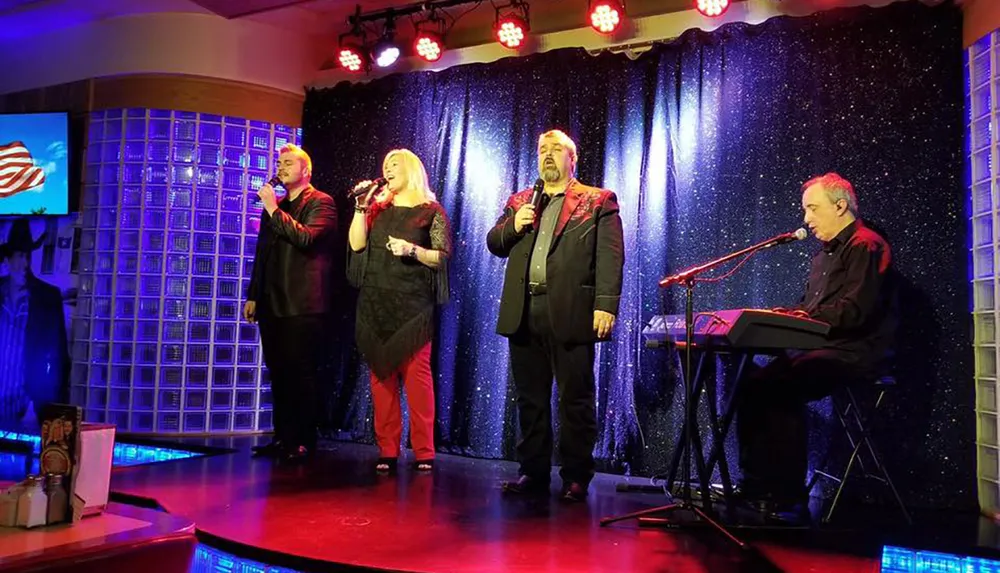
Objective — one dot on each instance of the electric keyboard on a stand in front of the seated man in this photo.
(739, 329)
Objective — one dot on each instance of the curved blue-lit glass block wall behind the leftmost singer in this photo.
(168, 228)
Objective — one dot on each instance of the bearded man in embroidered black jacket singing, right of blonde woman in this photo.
(561, 292)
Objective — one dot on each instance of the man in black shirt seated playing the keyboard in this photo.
(849, 288)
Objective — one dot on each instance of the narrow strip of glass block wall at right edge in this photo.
(982, 144)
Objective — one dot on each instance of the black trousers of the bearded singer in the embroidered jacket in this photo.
(535, 357)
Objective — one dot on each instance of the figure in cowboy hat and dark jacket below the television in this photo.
(34, 355)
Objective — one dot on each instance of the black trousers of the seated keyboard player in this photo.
(771, 419)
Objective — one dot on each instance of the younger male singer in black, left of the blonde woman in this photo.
(290, 297)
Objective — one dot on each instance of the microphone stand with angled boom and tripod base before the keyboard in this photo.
(685, 501)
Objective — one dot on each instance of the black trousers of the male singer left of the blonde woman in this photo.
(293, 350)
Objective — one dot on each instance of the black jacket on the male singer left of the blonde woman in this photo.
(296, 249)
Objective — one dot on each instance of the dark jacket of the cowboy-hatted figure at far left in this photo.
(46, 351)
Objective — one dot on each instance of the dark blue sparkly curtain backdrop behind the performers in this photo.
(706, 140)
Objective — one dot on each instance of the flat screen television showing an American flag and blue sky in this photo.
(34, 164)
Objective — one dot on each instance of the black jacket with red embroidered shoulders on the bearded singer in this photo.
(583, 269)
